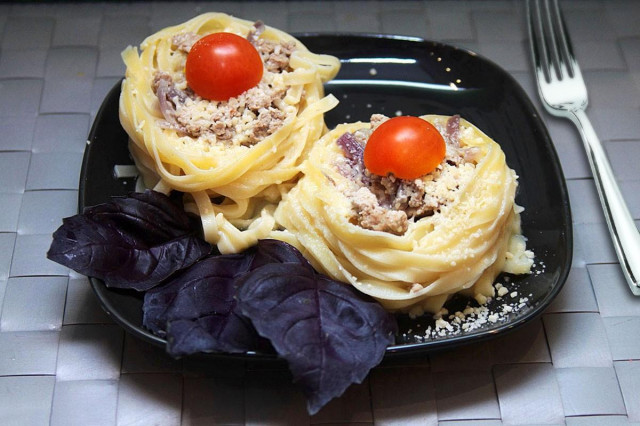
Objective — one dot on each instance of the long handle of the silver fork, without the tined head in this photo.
(625, 235)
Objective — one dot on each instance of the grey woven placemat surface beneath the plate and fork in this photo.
(64, 362)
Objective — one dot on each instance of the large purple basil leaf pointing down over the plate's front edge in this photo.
(329, 333)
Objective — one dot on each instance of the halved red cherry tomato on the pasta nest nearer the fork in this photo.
(408, 147)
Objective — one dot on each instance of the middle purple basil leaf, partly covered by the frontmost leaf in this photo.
(196, 309)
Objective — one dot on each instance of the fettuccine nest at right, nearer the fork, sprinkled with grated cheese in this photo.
(461, 248)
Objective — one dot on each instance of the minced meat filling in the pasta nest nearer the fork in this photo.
(388, 204)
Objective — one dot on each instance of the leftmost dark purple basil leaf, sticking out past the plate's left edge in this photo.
(109, 242)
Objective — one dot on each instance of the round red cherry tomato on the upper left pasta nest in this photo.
(223, 65)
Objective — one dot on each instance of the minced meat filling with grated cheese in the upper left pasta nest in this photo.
(242, 120)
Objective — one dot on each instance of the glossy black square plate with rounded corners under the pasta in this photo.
(389, 75)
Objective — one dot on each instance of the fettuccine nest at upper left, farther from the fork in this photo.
(234, 188)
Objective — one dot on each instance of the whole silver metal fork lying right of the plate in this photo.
(564, 94)
